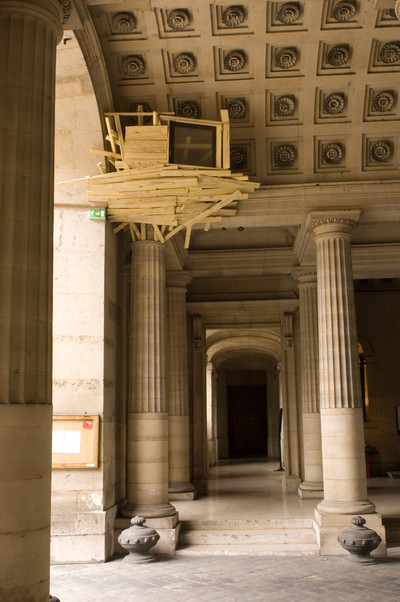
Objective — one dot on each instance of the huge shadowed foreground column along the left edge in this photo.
(29, 33)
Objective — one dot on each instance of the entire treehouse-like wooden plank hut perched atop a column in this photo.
(146, 189)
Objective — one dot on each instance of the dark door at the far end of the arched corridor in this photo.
(247, 420)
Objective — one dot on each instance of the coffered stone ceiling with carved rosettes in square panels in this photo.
(311, 87)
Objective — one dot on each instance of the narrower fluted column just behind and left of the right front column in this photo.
(312, 486)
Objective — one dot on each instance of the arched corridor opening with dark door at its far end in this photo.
(243, 416)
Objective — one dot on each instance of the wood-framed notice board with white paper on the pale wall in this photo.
(75, 442)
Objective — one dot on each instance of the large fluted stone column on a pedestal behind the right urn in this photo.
(342, 428)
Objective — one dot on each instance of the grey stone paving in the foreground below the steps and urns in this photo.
(180, 578)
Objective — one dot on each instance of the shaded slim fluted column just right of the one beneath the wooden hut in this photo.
(180, 486)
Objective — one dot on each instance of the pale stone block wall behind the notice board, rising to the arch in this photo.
(85, 322)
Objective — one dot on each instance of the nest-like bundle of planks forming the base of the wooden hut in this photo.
(169, 197)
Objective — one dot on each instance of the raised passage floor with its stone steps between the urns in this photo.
(245, 501)
